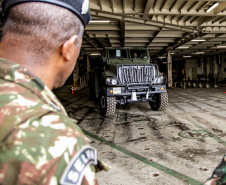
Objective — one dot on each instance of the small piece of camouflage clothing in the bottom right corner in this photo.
(219, 175)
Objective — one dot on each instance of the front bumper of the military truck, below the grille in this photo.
(130, 94)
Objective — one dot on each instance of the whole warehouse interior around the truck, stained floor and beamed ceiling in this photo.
(183, 143)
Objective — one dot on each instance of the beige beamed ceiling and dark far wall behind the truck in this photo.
(192, 32)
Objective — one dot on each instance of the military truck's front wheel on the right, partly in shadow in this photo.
(160, 101)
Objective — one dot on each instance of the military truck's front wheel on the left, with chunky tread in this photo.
(107, 104)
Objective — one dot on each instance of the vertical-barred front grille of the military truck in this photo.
(137, 74)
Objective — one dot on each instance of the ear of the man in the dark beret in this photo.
(68, 47)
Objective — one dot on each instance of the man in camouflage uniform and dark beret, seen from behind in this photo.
(39, 143)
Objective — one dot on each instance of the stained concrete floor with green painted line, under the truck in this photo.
(178, 146)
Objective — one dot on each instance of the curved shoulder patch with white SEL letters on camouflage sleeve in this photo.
(74, 172)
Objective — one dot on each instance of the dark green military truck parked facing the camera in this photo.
(124, 76)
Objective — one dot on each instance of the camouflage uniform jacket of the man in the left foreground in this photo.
(38, 141)
